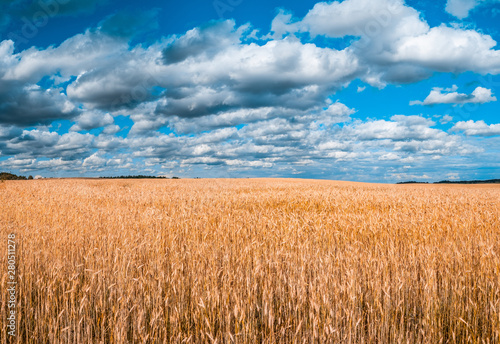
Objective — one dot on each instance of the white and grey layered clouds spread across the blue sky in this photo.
(220, 97)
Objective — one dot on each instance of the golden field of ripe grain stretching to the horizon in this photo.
(252, 261)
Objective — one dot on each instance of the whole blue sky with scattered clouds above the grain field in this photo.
(363, 90)
